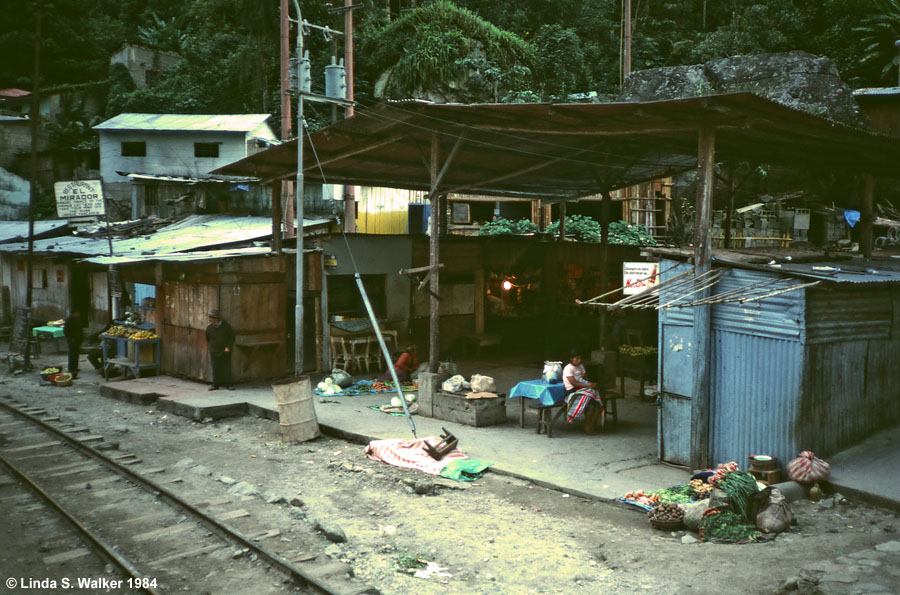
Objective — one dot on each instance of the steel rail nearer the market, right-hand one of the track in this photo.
(164, 494)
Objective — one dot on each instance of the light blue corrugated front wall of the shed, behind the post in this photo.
(756, 372)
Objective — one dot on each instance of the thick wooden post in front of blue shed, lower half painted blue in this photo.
(700, 402)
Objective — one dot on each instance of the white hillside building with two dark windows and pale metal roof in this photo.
(186, 146)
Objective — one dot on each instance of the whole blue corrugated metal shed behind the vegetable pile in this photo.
(809, 369)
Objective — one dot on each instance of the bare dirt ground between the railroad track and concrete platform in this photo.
(496, 535)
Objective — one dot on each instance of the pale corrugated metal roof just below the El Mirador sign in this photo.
(191, 233)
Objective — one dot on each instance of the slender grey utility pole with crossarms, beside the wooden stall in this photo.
(303, 91)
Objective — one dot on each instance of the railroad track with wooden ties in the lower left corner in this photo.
(151, 539)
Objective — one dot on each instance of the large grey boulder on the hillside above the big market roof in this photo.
(795, 79)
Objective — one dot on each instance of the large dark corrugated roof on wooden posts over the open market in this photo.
(551, 151)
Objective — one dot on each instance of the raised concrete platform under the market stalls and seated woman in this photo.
(621, 459)
